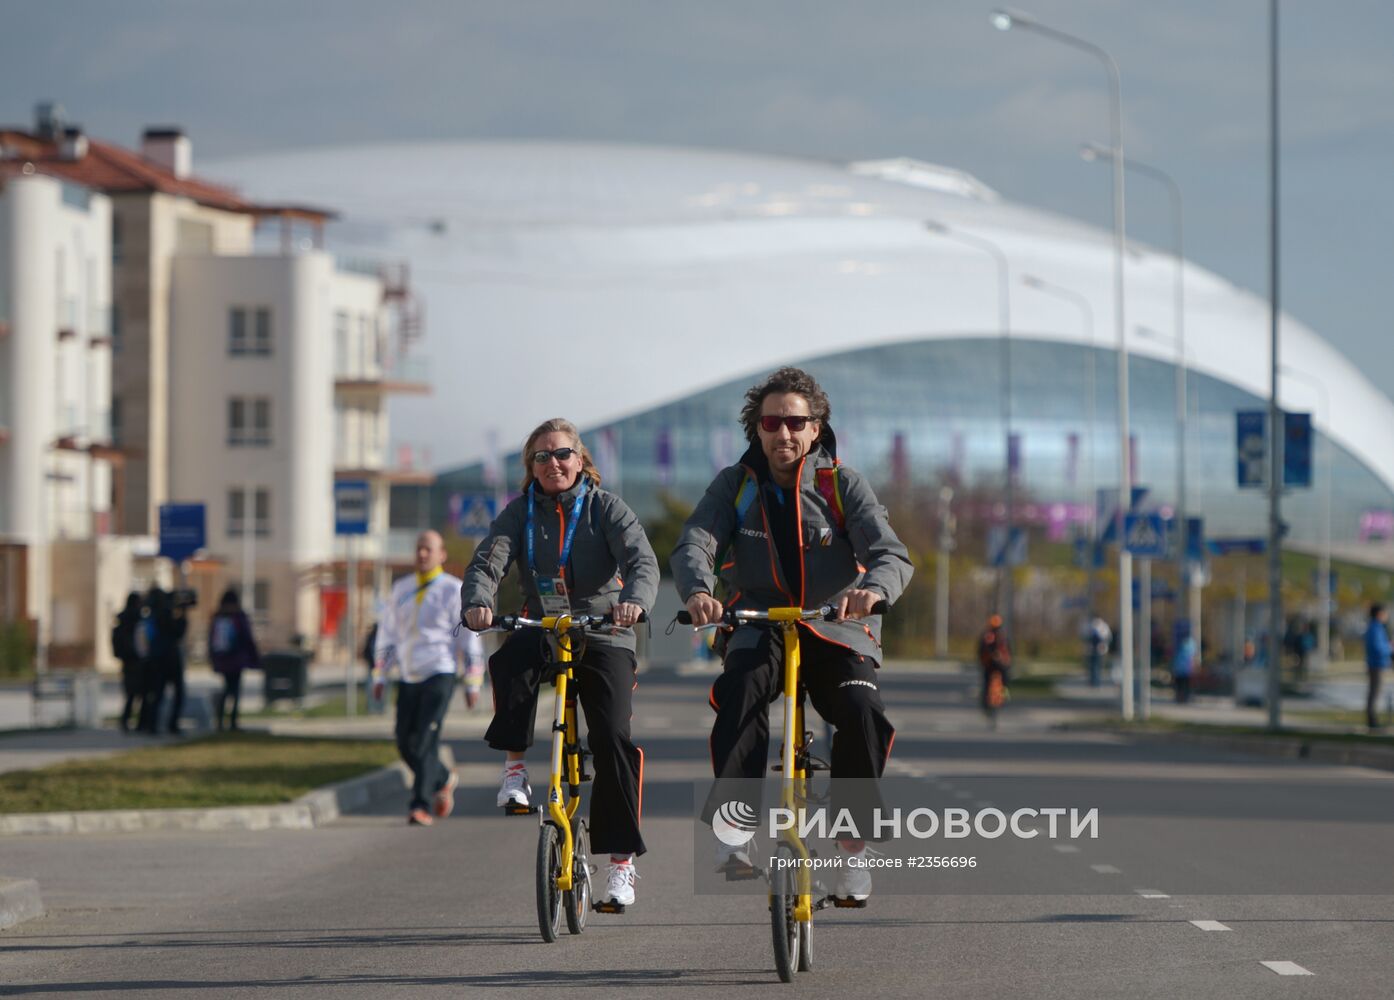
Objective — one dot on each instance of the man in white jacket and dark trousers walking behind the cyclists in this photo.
(419, 635)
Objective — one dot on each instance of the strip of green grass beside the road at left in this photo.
(235, 769)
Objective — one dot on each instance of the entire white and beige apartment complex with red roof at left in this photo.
(238, 380)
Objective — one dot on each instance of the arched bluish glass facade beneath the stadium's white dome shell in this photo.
(922, 412)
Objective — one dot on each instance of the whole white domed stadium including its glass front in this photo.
(638, 291)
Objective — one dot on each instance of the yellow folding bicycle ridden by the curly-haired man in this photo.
(792, 902)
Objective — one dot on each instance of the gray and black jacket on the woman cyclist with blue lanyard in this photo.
(611, 559)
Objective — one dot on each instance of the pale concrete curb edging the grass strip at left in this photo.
(310, 811)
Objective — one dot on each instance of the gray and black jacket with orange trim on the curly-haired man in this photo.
(866, 556)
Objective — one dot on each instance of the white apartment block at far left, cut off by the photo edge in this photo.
(56, 454)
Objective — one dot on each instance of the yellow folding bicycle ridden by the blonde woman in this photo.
(564, 864)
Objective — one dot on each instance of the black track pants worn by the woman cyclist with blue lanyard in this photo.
(606, 681)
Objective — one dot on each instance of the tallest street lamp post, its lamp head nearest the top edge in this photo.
(1007, 20)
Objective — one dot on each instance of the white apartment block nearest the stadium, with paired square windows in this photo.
(279, 376)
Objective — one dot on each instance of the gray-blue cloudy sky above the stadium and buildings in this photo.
(925, 79)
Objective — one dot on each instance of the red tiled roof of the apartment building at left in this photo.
(114, 171)
